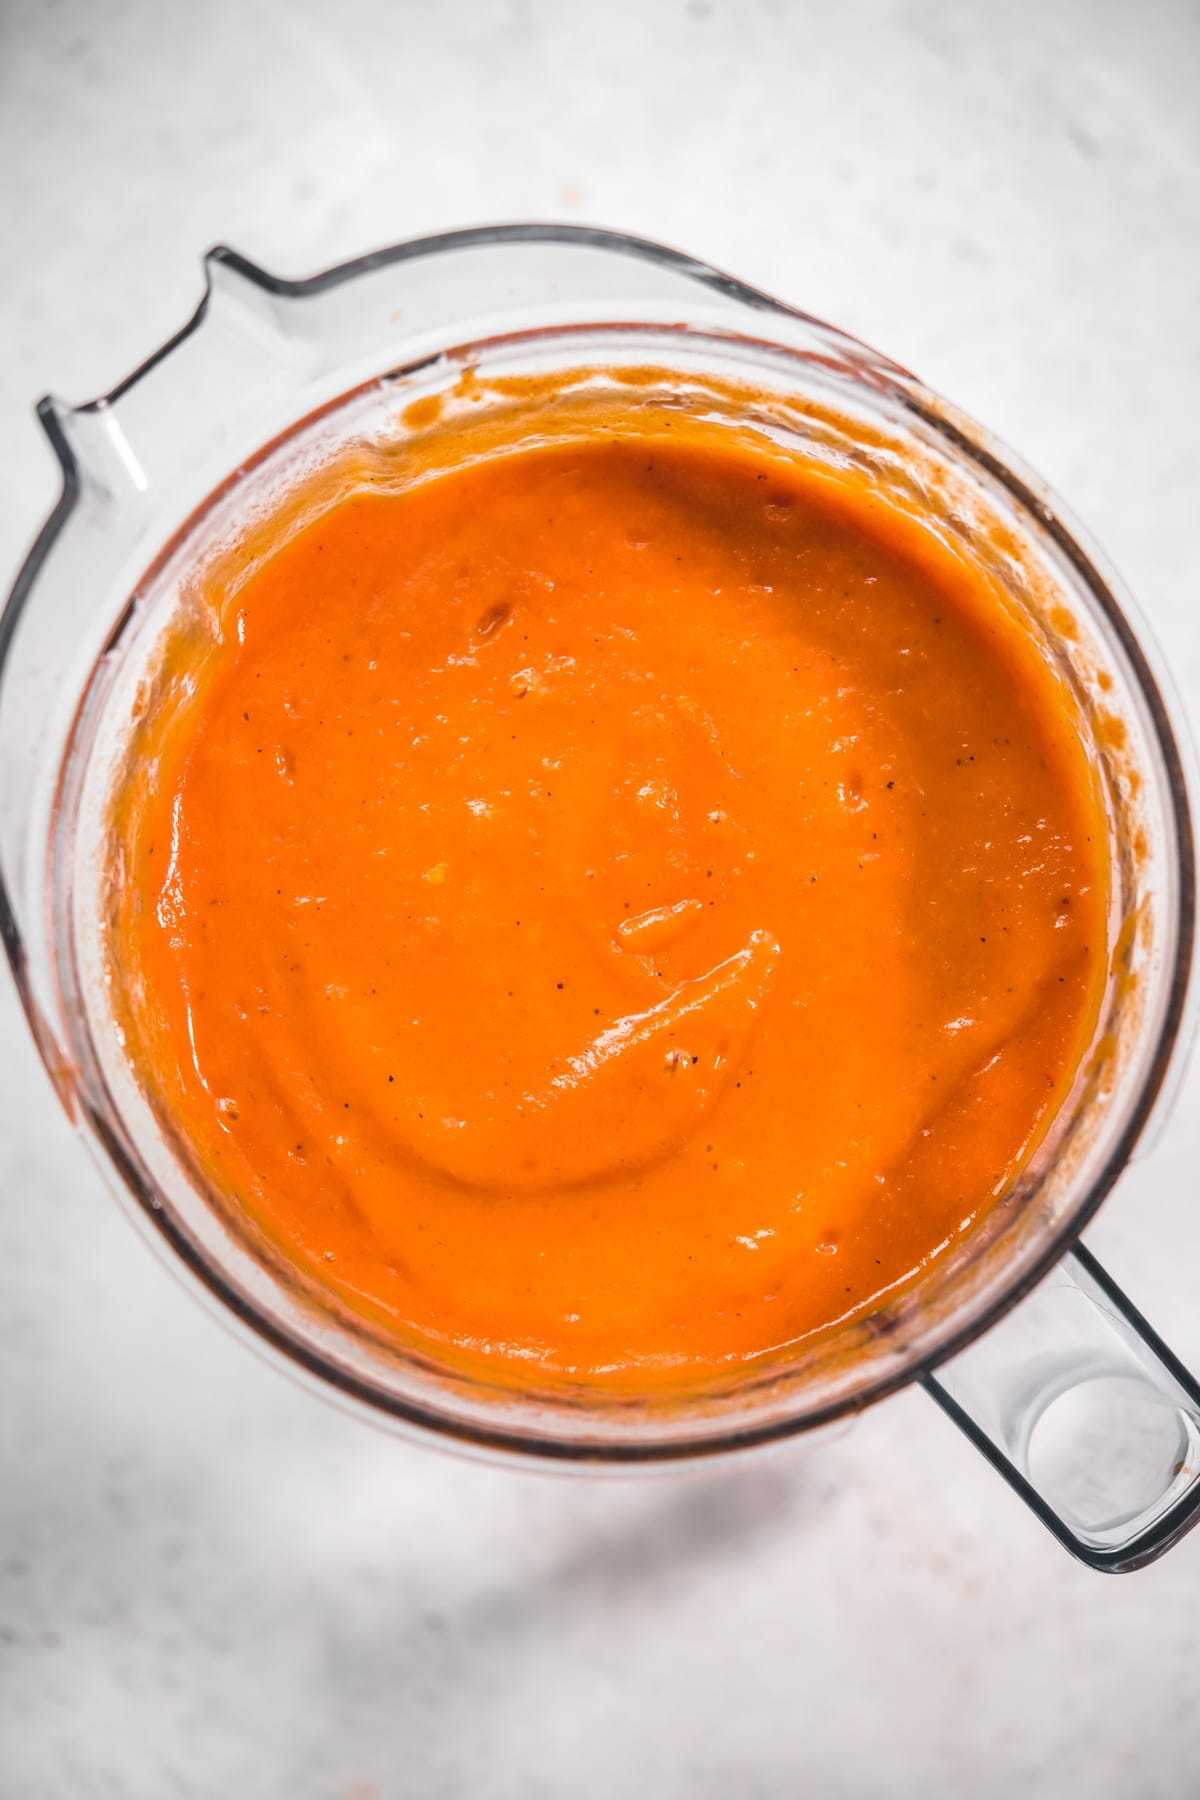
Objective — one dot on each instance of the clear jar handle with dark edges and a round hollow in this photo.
(1086, 1414)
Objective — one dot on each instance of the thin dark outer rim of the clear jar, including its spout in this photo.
(980, 451)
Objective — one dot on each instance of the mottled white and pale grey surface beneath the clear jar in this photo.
(210, 1581)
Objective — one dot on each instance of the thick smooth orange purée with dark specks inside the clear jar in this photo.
(620, 904)
